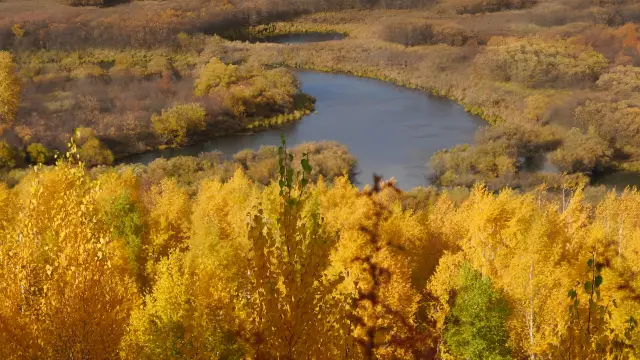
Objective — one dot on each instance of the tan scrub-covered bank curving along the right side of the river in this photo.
(531, 117)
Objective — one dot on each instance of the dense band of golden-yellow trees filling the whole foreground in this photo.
(121, 266)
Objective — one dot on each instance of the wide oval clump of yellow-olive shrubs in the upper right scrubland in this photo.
(536, 62)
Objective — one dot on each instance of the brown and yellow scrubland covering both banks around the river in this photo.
(572, 103)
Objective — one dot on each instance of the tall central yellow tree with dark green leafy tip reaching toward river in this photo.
(287, 291)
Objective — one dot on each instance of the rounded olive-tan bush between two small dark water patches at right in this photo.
(582, 153)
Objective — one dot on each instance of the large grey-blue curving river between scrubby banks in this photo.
(392, 131)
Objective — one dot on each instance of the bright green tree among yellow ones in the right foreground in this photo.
(476, 326)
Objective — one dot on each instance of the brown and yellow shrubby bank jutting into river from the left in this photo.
(134, 101)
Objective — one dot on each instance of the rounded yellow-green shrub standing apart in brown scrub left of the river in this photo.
(173, 125)
